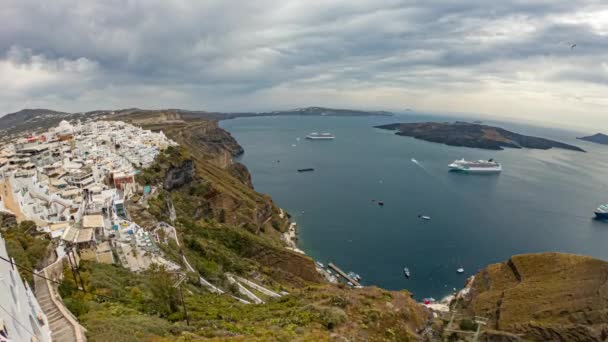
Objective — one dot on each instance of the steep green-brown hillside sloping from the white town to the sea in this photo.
(226, 226)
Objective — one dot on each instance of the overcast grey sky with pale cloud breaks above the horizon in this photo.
(511, 59)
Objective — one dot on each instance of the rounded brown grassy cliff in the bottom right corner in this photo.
(549, 296)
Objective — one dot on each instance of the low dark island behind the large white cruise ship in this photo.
(473, 135)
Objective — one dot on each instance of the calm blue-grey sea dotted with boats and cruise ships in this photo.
(542, 201)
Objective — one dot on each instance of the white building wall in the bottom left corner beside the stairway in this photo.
(21, 318)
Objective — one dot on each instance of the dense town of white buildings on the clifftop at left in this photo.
(72, 181)
